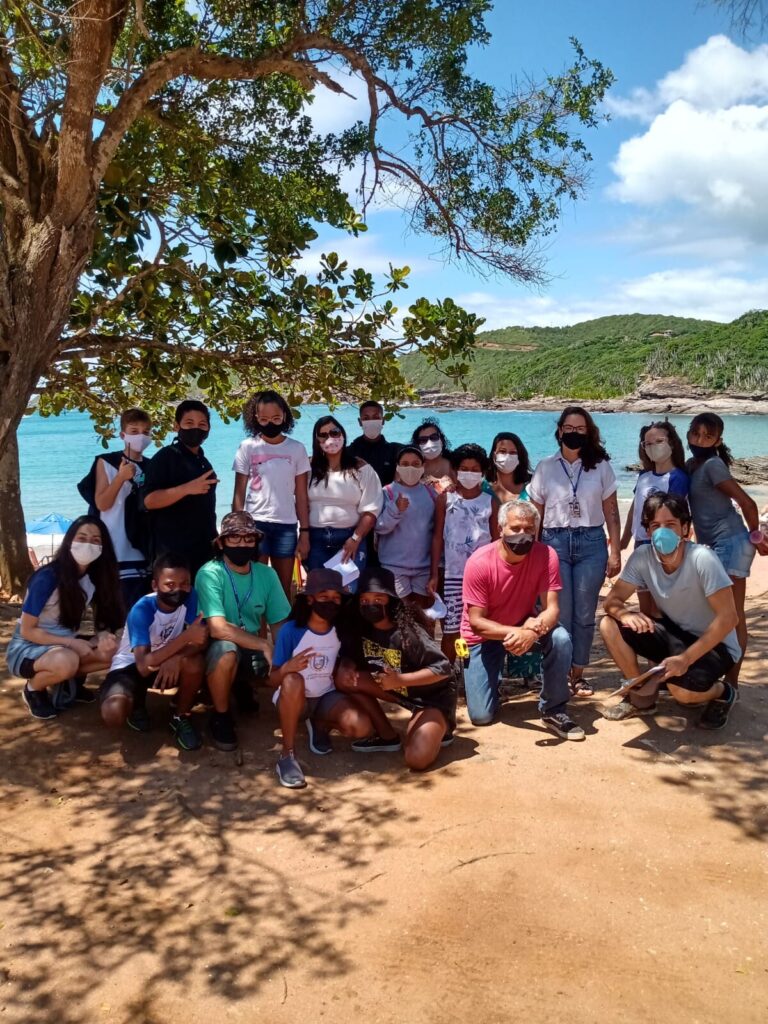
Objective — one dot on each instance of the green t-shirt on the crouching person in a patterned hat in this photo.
(266, 601)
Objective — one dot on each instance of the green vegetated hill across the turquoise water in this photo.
(608, 358)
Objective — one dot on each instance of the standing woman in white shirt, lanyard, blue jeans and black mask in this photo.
(576, 494)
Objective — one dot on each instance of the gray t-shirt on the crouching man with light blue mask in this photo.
(682, 595)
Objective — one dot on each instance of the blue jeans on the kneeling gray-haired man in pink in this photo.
(484, 672)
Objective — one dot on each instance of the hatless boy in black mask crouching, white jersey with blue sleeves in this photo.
(162, 648)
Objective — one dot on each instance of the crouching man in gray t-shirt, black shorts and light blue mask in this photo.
(694, 639)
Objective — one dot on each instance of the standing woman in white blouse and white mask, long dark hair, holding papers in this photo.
(346, 498)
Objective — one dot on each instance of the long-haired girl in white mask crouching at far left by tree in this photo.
(47, 649)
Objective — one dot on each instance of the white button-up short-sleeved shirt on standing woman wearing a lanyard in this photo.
(553, 485)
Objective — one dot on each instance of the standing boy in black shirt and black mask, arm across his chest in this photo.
(180, 490)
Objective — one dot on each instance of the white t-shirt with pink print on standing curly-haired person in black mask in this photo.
(272, 470)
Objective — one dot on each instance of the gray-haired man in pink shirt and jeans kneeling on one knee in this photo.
(502, 583)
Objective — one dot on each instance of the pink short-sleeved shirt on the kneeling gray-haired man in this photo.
(507, 592)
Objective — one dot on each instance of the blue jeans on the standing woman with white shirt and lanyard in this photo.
(584, 557)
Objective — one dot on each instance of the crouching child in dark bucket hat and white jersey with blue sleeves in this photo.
(304, 665)
